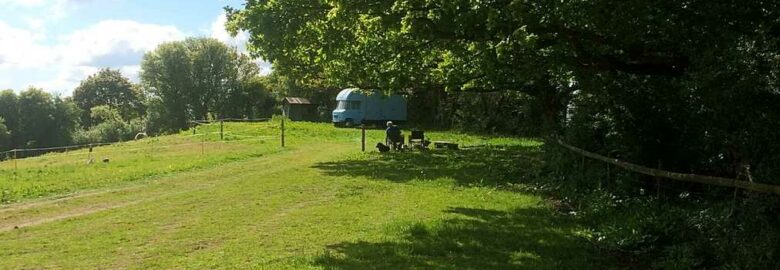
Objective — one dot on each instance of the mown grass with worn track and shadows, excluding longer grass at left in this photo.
(316, 206)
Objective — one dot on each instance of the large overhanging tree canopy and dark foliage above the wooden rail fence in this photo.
(689, 84)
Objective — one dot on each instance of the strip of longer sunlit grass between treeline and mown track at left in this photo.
(76, 170)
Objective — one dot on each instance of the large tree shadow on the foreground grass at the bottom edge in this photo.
(476, 239)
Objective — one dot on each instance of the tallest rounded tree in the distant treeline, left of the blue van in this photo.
(199, 78)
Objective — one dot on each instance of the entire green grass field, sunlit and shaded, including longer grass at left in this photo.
(193, 201)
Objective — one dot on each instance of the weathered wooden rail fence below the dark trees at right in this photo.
(701, 179)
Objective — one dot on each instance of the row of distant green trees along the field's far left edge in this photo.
(181, 81)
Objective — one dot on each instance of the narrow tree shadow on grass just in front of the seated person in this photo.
(480, 166)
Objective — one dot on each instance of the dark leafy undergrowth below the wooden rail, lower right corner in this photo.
(683, 231)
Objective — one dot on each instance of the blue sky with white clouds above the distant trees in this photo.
(54, 44)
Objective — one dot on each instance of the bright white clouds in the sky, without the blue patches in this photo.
(59, 63)
